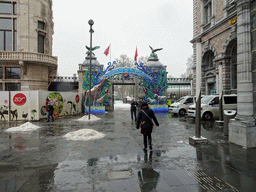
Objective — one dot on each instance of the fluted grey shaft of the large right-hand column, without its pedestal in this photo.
(244, 73)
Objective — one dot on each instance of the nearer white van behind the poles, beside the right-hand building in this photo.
(210, 106)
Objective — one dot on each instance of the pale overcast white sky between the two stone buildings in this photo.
(166, 24)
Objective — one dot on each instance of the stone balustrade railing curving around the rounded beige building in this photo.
(27, 56)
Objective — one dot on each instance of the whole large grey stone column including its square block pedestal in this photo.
(242, 128)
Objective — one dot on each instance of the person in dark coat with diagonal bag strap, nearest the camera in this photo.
(145, 119)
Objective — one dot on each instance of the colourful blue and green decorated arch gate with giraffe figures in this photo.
(153, 81)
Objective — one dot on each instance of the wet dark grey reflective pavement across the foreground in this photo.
(45, 161)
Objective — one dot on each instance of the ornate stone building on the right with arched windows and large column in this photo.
(224, 45)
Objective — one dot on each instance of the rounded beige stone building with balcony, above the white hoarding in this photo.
(26, 29)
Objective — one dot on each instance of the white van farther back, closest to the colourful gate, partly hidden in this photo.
(181, 106)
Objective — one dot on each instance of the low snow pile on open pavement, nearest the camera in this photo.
(84, 135)
